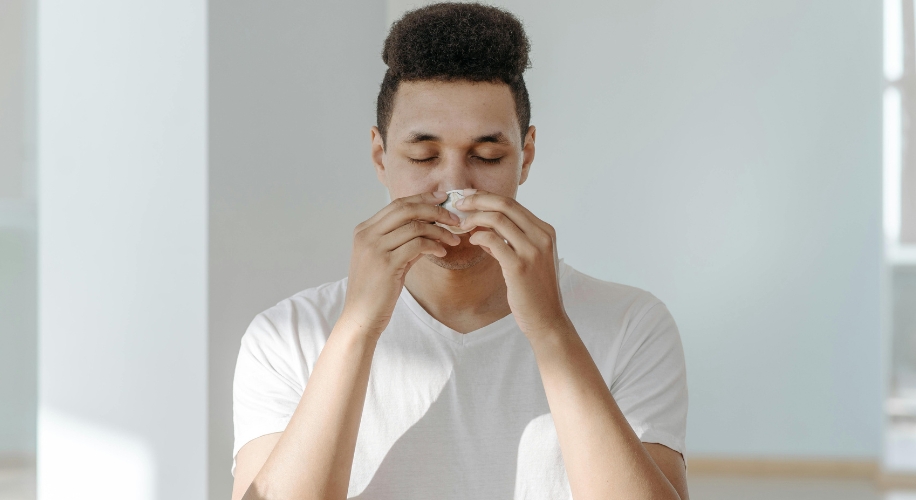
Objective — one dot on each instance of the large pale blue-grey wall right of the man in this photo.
(726, 156)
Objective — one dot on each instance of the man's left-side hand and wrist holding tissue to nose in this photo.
(384, 249)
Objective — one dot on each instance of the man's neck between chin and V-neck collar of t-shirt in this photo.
(464, 300)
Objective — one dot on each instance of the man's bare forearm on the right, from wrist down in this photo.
(604, 457)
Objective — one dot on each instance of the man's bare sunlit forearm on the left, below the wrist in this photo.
(314, 456)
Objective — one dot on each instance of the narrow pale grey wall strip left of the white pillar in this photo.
(18, 391)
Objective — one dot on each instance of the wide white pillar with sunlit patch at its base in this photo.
(122, 259)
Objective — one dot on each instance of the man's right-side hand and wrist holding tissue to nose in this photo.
(526, 249)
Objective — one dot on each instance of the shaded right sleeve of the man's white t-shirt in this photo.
(651, 383)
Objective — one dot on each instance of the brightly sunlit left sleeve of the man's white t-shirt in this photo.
(267, 385)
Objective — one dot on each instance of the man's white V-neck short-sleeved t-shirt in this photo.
(465, 416)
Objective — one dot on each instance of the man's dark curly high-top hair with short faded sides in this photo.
(453, 42)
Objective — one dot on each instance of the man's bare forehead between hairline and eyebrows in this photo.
(457, 110)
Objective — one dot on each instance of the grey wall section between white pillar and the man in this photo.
(292, 97)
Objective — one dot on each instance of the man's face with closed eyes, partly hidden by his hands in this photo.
(453, 135)
